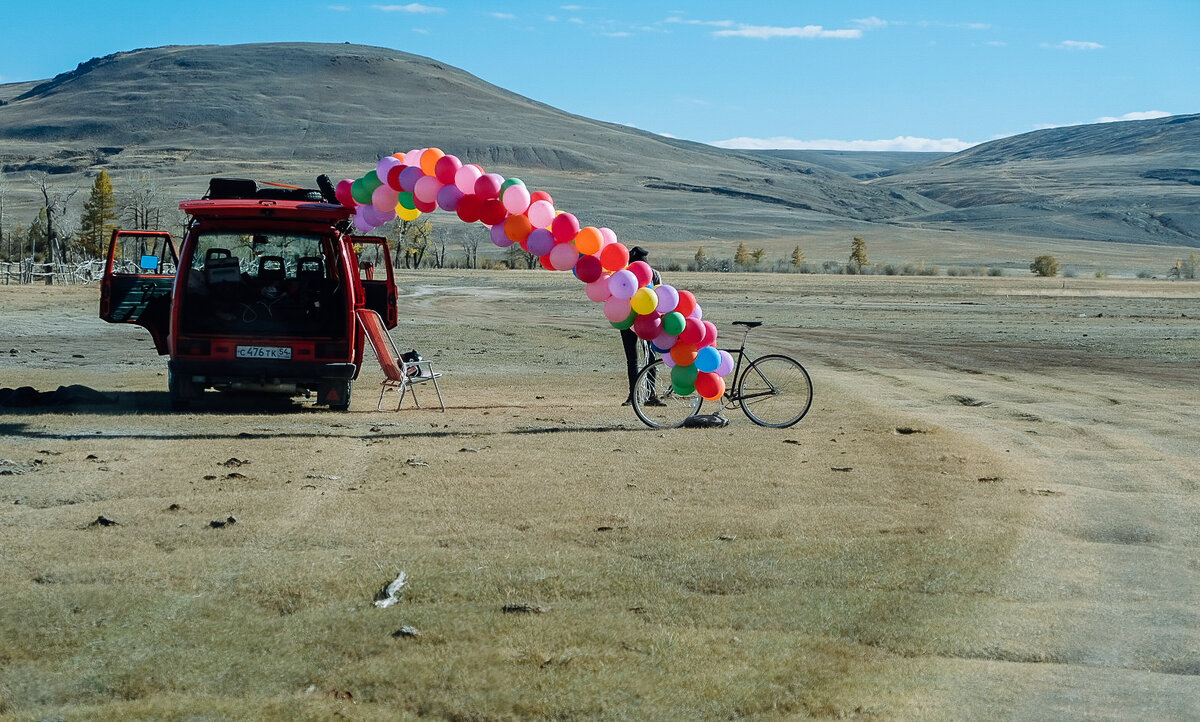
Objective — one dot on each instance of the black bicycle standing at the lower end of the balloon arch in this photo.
(773, 390)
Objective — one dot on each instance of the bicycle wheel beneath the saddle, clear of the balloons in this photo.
(776, 392)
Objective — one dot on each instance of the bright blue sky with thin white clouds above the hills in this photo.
(925, 75)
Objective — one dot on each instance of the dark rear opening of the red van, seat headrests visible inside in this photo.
(263, 284)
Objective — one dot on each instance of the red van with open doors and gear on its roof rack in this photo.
(261, 296)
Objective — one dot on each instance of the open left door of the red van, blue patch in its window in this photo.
(137, 285)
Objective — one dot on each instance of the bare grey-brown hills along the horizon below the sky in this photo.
(287, 112)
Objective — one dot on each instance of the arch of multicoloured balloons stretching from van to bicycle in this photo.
(423, 180)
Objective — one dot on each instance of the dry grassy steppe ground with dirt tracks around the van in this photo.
(991, 514)
